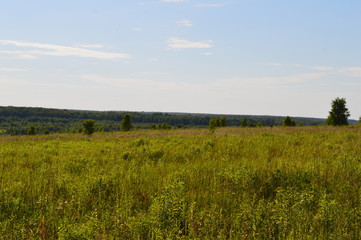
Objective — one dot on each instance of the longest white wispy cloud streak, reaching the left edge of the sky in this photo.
(41, 49)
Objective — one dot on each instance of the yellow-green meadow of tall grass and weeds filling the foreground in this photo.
(260, 183)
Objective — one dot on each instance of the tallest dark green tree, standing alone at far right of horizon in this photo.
(339, 113)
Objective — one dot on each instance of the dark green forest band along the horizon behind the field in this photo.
(17, 120)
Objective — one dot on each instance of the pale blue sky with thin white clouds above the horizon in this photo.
(257, 57)
